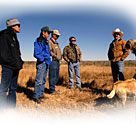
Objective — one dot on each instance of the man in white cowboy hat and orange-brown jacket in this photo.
(117, 53)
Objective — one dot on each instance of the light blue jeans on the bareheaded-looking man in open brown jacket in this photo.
(74, 66)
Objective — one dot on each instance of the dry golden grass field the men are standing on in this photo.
(96, 83)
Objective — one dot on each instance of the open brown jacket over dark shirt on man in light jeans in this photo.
(69, 55)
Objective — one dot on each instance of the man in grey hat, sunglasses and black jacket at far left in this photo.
(11, 62)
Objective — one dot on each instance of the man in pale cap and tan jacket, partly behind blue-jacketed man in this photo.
(56, 57)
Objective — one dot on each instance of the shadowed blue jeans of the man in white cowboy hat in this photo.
(117, 70)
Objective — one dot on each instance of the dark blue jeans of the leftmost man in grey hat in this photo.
(8, 84)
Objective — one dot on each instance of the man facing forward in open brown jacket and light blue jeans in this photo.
(72, 55)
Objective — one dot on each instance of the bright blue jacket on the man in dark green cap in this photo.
(42, 51)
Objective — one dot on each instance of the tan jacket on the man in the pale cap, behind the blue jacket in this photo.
(55, 51)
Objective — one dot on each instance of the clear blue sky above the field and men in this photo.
(91, 25)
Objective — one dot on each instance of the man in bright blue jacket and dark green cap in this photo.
(42, 54)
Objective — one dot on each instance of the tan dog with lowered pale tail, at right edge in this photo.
(123, 89)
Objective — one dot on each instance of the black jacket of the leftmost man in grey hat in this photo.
(10, 55)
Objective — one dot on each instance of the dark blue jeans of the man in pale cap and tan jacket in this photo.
(53, 75)
